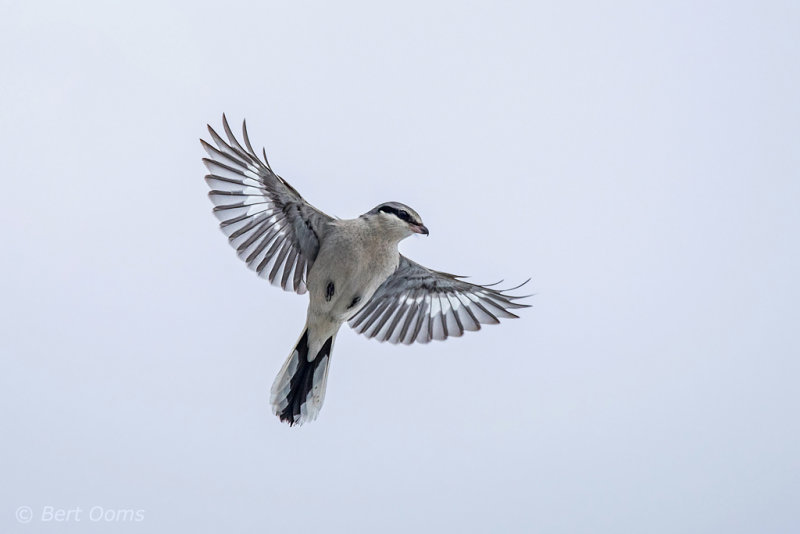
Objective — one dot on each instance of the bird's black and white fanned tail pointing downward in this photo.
(299, 389)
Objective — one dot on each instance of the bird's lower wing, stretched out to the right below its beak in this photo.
(418, 304)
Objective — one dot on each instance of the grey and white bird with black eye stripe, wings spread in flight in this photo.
(351, 269)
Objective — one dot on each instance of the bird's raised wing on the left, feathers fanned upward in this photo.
(273, 229)
